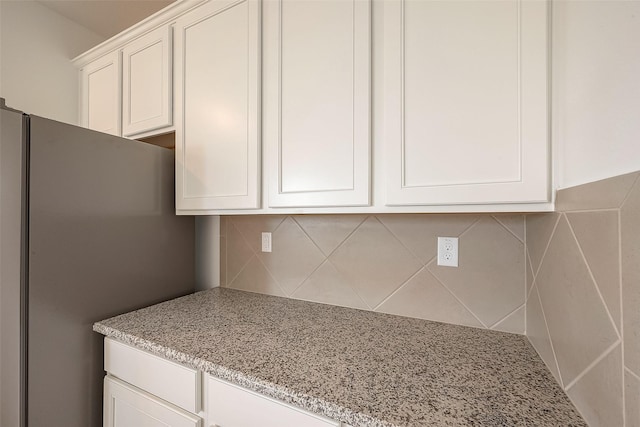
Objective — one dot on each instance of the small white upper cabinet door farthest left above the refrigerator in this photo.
(101, 94)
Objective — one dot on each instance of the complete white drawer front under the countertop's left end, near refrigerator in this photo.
(167, 380)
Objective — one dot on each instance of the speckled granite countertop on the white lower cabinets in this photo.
(354, 366)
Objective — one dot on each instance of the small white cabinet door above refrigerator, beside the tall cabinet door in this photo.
(147, 88)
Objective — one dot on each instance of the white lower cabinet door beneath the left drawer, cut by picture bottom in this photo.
(126, 406)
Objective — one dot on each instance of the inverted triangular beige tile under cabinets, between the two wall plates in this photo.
(329, 231)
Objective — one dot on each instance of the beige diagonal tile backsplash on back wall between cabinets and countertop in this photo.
(385, 263)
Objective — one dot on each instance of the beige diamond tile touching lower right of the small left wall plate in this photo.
(293, 258)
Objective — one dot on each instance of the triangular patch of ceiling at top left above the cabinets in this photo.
(106, 17)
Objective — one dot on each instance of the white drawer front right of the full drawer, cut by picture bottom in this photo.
(233, 406)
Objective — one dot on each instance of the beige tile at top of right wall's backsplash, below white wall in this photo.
(605, 194)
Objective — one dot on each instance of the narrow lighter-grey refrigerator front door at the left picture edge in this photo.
(11, 168)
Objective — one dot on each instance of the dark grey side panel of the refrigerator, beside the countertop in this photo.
(103, 239)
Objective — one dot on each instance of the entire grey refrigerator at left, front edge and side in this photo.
(88, 231)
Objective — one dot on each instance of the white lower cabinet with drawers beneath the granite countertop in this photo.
(142, 389)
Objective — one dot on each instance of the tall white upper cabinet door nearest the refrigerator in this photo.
(217, 100)
